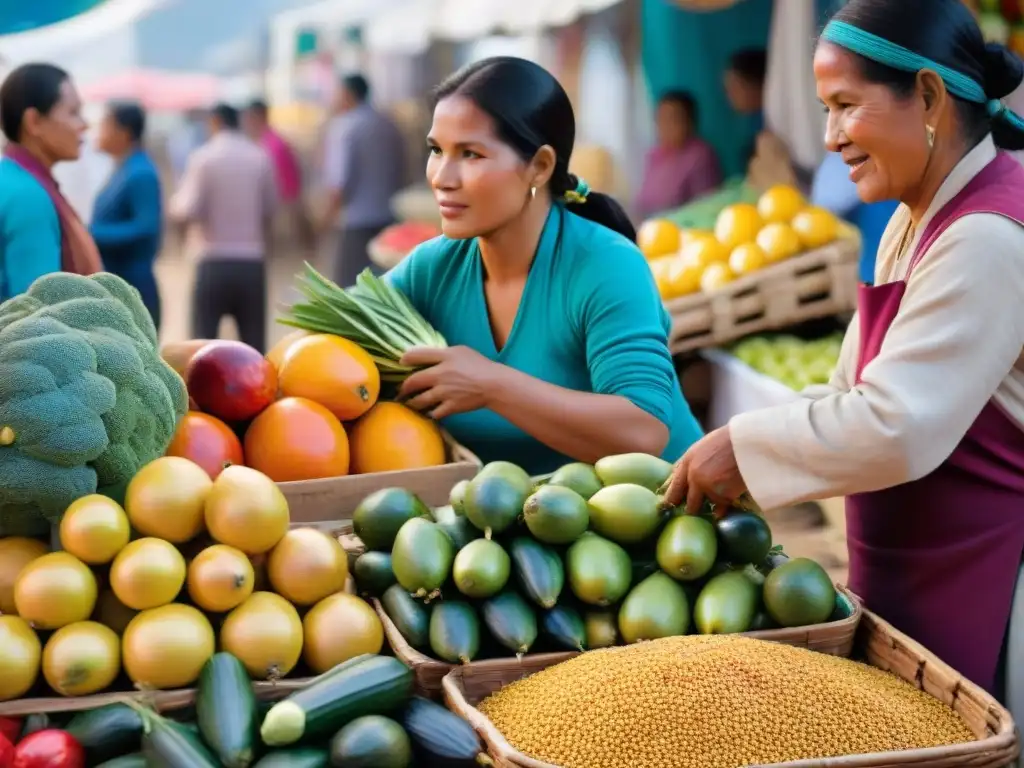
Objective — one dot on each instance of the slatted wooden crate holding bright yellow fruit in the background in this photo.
(815, 285)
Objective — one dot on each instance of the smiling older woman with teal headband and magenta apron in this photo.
(922, 428)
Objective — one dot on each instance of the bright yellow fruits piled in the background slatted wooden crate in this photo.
(747, 238)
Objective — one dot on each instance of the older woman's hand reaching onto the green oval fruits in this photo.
(709, 470)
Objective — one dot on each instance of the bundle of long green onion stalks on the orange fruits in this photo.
(371, 314)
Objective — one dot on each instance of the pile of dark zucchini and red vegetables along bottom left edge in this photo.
(360, 714)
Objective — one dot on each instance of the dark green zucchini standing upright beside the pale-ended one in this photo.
(226, 711)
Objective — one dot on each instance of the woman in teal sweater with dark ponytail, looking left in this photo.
(559, 338)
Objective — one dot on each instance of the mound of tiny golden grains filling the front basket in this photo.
(716, 703)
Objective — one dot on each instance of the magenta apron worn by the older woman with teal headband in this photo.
(940, 558)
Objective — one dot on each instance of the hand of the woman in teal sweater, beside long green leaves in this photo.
(457, 381)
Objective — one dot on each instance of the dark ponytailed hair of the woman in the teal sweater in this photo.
(532, 110)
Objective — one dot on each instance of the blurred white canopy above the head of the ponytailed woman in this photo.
(410, 27)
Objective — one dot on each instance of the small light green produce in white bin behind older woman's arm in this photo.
(791, 361)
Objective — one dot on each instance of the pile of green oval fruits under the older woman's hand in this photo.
(589, 560)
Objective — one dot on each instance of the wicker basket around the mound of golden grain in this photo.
(878, 644)
